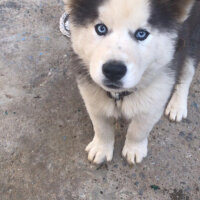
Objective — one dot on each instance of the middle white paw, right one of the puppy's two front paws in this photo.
(135, 152)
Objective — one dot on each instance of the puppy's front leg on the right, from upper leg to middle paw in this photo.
(135, 148)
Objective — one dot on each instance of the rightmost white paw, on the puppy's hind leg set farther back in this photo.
(177, 108)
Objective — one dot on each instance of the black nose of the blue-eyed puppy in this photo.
(114, 70)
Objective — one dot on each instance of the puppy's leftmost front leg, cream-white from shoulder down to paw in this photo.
(100, 149)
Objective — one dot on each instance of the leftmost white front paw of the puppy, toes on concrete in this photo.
(98, 152)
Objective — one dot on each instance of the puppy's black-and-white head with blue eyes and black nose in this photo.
(119, 40)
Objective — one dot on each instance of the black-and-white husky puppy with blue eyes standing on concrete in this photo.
(136, 59)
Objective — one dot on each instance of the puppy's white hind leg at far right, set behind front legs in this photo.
(177, 106)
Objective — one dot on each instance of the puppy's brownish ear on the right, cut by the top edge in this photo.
(181, 9)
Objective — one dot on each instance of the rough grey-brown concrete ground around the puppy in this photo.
(44, 126)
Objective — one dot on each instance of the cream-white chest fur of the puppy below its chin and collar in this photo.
(151, 99)
